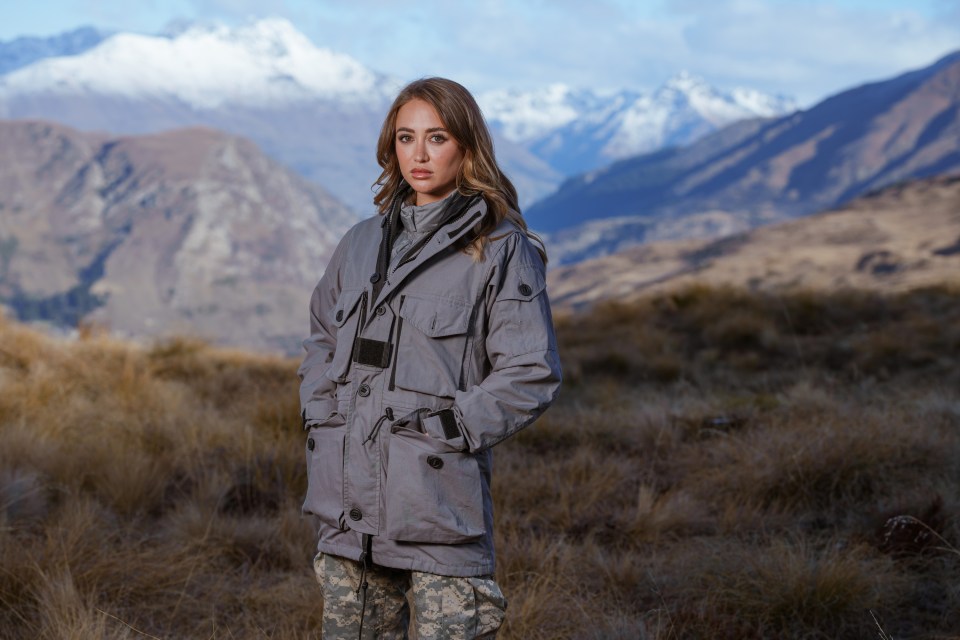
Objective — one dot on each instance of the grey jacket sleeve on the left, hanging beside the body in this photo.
(318, 401)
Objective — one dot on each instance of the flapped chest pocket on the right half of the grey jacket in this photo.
(432, 341)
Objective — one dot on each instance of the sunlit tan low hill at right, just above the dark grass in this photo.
(904, 236)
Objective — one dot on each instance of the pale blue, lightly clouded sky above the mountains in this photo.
(806, 49)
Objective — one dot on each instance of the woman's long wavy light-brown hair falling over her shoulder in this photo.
(479, 172)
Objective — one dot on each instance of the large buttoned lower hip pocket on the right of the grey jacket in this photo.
(433, 493)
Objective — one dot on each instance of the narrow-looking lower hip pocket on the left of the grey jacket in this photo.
(325, 474)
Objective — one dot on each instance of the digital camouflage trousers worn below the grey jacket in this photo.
(444, 607)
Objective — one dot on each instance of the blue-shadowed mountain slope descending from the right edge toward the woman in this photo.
(763, 170)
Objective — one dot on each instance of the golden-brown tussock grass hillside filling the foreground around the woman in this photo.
(719, 465)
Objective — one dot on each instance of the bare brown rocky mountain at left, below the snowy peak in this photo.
(189, 231)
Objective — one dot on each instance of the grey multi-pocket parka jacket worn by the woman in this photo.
(410, 378)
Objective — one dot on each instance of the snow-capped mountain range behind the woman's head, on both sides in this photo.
(319, 111)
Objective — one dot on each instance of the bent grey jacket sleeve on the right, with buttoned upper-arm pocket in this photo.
(521, 346)
